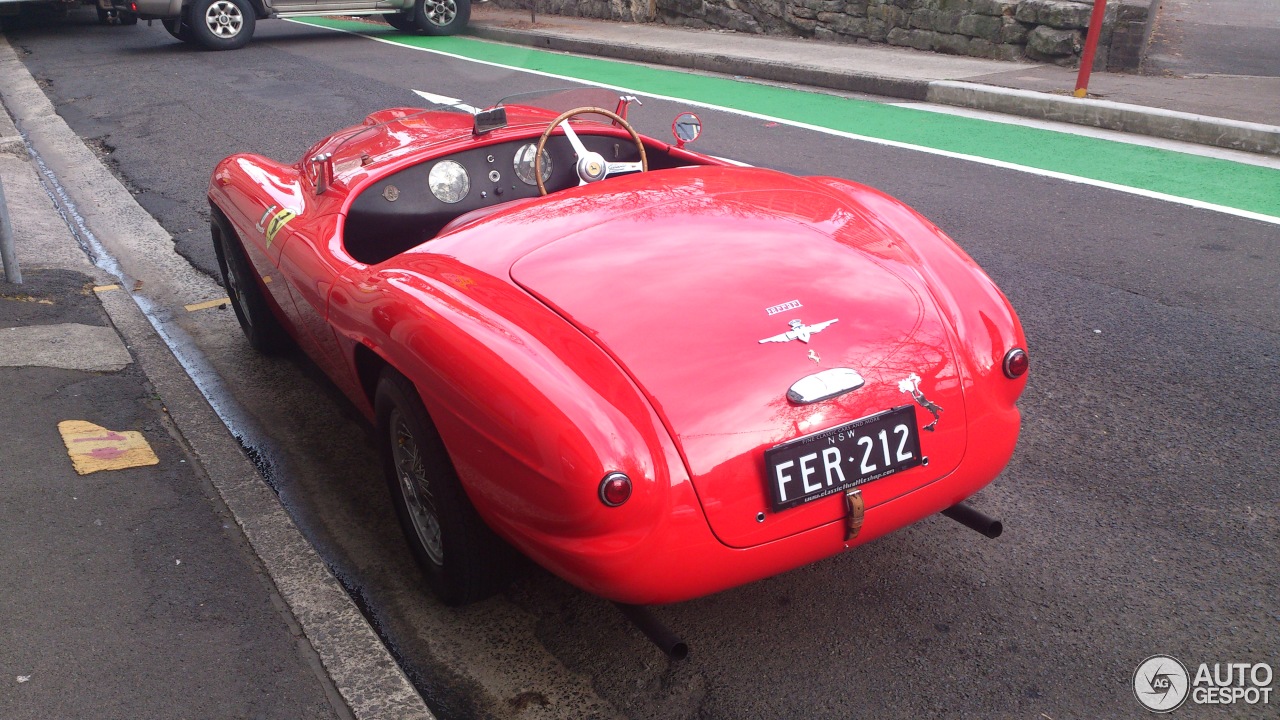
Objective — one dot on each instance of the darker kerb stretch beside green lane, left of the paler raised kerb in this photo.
(711, 63)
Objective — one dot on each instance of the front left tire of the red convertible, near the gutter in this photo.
(264, 331)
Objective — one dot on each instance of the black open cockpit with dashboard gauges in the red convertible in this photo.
(380, 227)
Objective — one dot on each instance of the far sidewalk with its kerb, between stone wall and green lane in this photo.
(1236, 112)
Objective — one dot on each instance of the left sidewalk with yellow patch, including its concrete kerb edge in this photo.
(136, 577)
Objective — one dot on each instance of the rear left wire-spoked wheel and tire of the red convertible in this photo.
(463, 559)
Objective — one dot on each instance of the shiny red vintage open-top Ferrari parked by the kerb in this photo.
(657, 373)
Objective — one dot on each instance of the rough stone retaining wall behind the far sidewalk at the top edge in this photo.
(1007, 30)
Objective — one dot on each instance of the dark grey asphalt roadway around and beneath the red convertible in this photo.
(1141, 509)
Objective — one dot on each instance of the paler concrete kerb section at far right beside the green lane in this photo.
(1156, 122)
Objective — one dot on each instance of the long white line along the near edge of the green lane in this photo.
(1064, 177)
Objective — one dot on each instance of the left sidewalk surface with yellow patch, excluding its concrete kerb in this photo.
(127, 590)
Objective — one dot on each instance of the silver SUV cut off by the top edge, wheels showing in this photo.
(227, 25)
